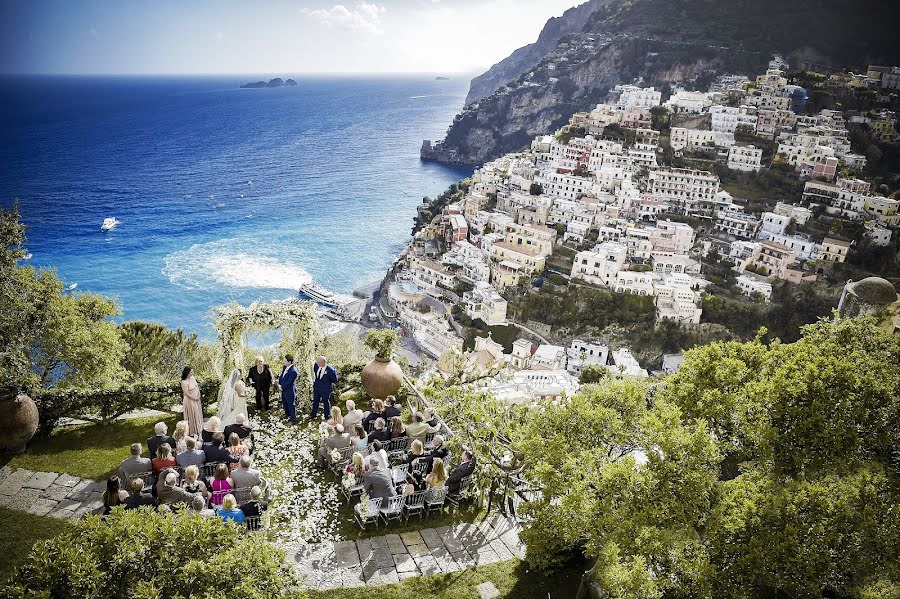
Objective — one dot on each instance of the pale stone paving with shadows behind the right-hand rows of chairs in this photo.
(393, 557)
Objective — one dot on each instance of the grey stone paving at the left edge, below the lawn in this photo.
(49, 493)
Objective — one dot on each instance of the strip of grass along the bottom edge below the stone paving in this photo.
(512, 579)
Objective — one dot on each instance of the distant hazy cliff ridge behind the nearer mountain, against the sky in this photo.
(571, 21)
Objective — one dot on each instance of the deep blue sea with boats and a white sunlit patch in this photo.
(222, 193)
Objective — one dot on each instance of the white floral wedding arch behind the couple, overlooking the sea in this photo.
(301, 332)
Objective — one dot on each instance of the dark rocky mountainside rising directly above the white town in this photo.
(662, 41)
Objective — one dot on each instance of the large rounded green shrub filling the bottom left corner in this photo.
(145, 554)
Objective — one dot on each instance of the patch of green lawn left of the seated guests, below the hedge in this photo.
(89, 451)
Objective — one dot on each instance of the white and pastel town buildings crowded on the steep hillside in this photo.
(613, 190)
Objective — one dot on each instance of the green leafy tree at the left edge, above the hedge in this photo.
(49, 337)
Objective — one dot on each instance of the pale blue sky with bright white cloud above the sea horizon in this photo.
(276, 36)
